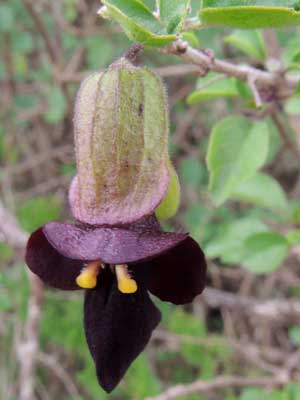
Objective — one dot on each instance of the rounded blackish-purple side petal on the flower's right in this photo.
(180, 274)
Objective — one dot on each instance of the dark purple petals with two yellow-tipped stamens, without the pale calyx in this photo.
(118, 265)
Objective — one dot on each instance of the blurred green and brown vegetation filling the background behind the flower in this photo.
(246, 324)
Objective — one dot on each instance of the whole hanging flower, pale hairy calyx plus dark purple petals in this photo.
(117, 250)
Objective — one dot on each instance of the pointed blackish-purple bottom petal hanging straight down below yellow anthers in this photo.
(118, 327)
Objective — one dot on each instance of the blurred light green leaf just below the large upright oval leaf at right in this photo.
(261, 190)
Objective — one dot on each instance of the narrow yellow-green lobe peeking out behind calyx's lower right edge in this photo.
(170, 204)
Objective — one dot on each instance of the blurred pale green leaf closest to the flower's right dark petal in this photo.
(228, 244)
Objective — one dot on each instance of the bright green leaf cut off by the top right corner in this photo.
(250, 13)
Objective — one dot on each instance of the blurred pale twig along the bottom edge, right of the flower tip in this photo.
(217, 384)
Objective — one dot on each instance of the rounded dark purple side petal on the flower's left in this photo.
(52, 267)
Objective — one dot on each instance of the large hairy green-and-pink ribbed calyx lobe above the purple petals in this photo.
(121, 140)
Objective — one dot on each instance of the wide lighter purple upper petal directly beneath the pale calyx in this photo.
(111, 245)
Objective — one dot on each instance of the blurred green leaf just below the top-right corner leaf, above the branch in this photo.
(249, 42)
